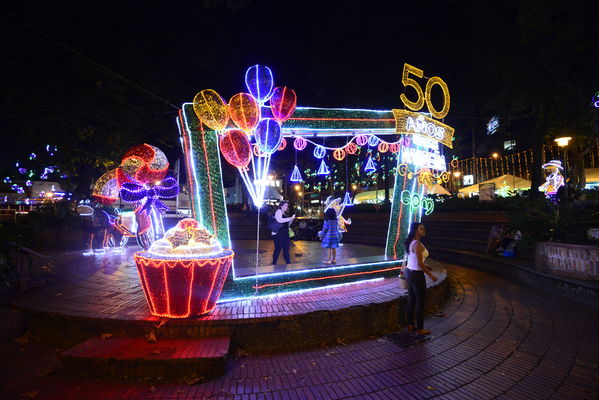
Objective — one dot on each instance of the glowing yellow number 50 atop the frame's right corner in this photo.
(426, 96)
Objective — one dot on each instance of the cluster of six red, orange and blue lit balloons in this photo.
(253, 120)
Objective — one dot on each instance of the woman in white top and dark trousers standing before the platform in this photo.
(414, 274)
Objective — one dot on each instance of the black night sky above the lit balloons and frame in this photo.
(122, 69)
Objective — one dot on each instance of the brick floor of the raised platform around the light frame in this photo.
(107, 286)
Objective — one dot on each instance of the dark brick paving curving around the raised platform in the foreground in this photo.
(498, 339)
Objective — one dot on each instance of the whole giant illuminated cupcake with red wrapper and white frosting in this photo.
(183, 273)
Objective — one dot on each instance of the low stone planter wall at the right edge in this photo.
(570, 260)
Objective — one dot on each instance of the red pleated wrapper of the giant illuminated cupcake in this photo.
(182, 287)
